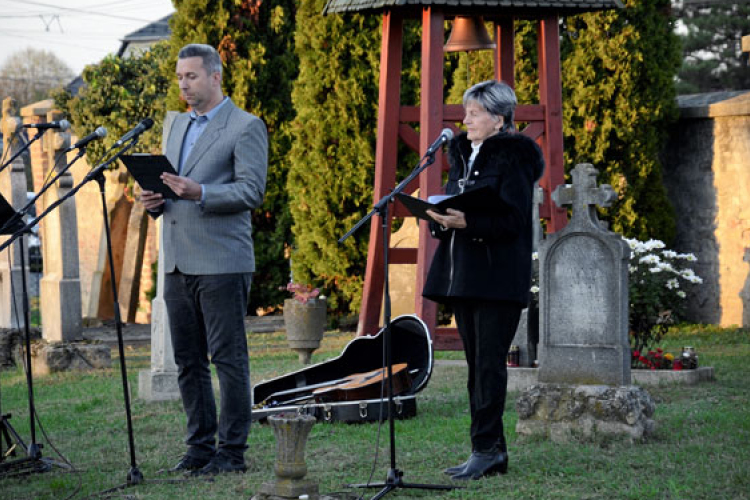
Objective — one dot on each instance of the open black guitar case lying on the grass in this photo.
(411, 345)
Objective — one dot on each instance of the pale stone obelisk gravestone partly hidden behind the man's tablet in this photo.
(160, 382)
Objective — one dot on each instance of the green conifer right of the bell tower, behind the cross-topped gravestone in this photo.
(618, 96)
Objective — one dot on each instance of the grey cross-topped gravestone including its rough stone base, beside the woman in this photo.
(584, 359)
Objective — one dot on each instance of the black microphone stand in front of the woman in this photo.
(394, 477)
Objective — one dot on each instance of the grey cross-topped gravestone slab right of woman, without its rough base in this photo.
(583, 272)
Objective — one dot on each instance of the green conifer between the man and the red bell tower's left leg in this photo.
(332, 156)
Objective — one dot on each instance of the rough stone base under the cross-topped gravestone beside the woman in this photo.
(570, 412)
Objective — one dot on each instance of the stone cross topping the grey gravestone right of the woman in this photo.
(584, 195)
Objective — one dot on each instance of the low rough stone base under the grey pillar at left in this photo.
(65, 356)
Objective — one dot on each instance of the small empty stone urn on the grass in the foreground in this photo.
(291, 431)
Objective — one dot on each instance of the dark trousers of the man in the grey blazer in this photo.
(206, 318)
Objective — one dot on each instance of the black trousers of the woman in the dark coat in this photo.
(487, 328)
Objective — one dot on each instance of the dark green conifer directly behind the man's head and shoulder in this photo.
(256, 46)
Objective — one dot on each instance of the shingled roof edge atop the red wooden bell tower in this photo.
(486, 6)
